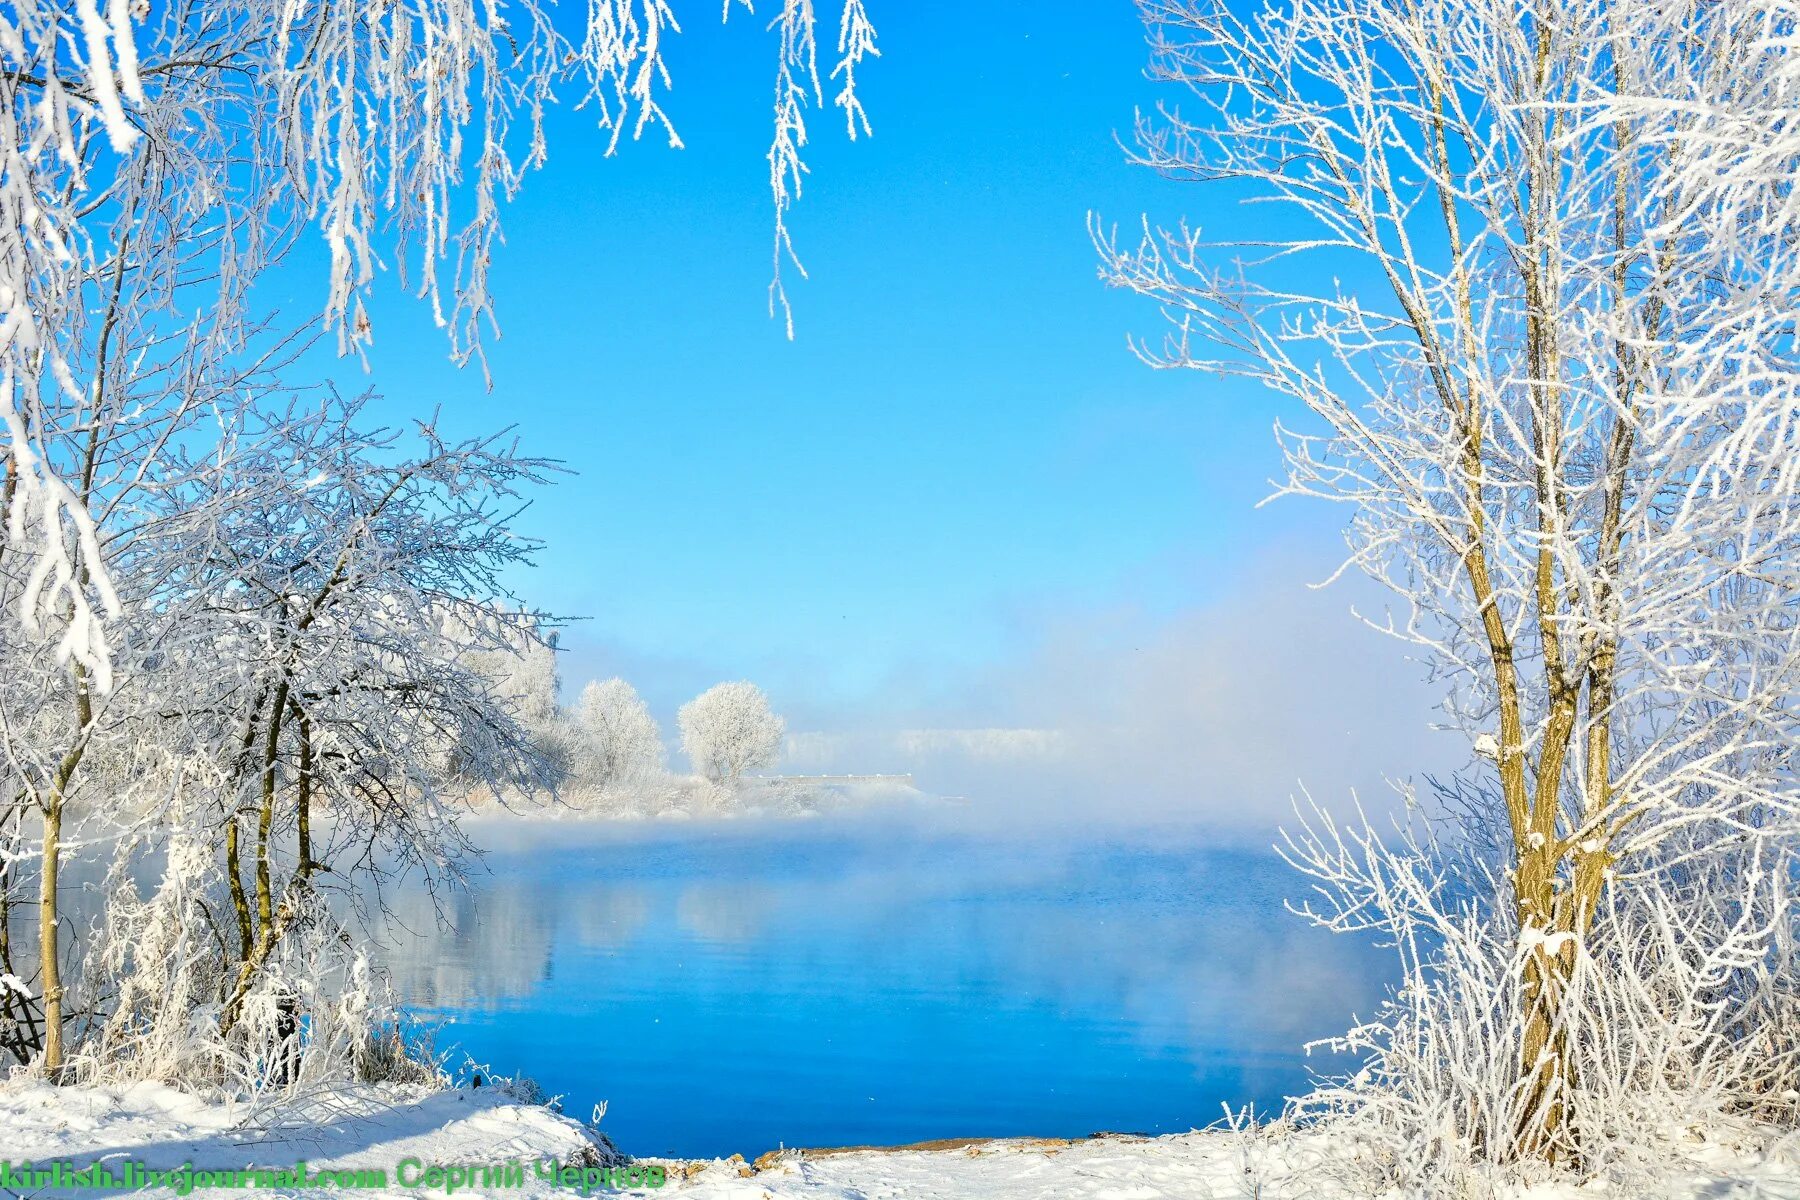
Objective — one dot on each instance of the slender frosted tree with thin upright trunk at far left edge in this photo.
(76, 724)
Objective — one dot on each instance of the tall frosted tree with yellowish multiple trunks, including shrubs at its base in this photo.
(1534, 276)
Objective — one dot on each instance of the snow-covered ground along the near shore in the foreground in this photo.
(386, 1127)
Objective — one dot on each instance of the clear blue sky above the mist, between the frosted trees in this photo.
(957, 458)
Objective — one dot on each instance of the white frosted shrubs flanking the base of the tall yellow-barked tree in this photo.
(1682, 1007)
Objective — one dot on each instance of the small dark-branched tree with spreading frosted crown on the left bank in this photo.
(346, 600)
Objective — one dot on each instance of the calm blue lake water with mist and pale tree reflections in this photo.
(733, 990)
